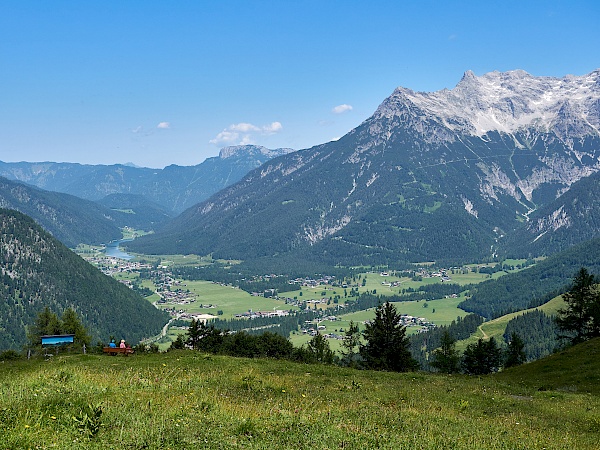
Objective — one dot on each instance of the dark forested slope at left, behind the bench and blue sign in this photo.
(38, 271)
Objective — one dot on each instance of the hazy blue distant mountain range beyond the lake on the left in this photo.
(173, 188)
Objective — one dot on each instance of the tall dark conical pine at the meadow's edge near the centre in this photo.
(387, 346)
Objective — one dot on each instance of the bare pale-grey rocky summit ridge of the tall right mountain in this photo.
(502, 101)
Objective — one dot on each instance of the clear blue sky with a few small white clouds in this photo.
(157, 83)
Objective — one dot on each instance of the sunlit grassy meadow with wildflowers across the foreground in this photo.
(189, 400)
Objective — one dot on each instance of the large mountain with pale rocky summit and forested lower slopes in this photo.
(459, 174)
